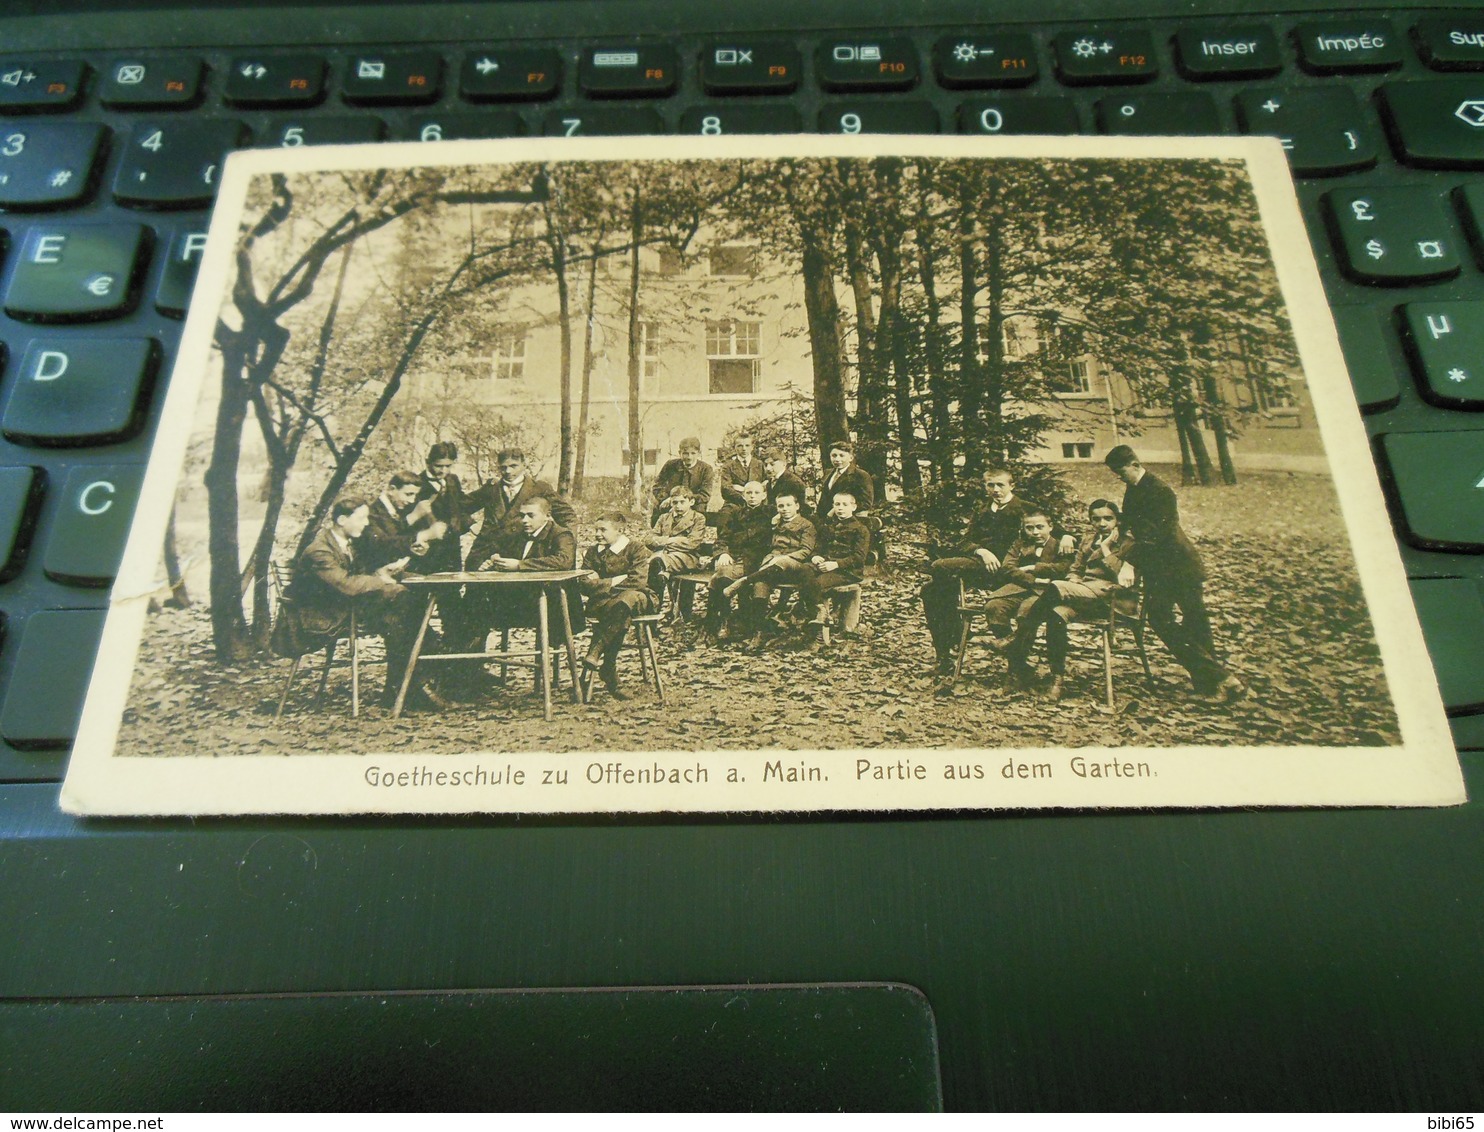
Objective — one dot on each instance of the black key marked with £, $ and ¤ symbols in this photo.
(1393, 237)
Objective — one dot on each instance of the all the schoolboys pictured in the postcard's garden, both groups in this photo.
(1034, 575)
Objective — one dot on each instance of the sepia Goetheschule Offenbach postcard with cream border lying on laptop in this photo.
(761, 475)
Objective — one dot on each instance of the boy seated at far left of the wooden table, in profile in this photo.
(329, 584)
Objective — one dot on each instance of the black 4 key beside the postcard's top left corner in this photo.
(174, 164)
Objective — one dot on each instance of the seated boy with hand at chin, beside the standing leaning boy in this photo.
(1090, 588)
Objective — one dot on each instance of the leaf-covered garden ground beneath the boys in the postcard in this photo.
(1284, 600)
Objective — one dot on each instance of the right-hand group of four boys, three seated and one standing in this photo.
(1035, 578)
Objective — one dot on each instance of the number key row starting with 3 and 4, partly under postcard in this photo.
(174, 164)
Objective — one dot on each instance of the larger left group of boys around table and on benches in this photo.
(765, 539)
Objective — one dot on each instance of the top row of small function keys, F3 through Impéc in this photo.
(968, 60)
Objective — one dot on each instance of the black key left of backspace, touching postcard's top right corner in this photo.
(1324, 128)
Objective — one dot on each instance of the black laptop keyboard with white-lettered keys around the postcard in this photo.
(115, 158)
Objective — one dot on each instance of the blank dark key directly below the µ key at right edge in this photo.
(1439, 481)
